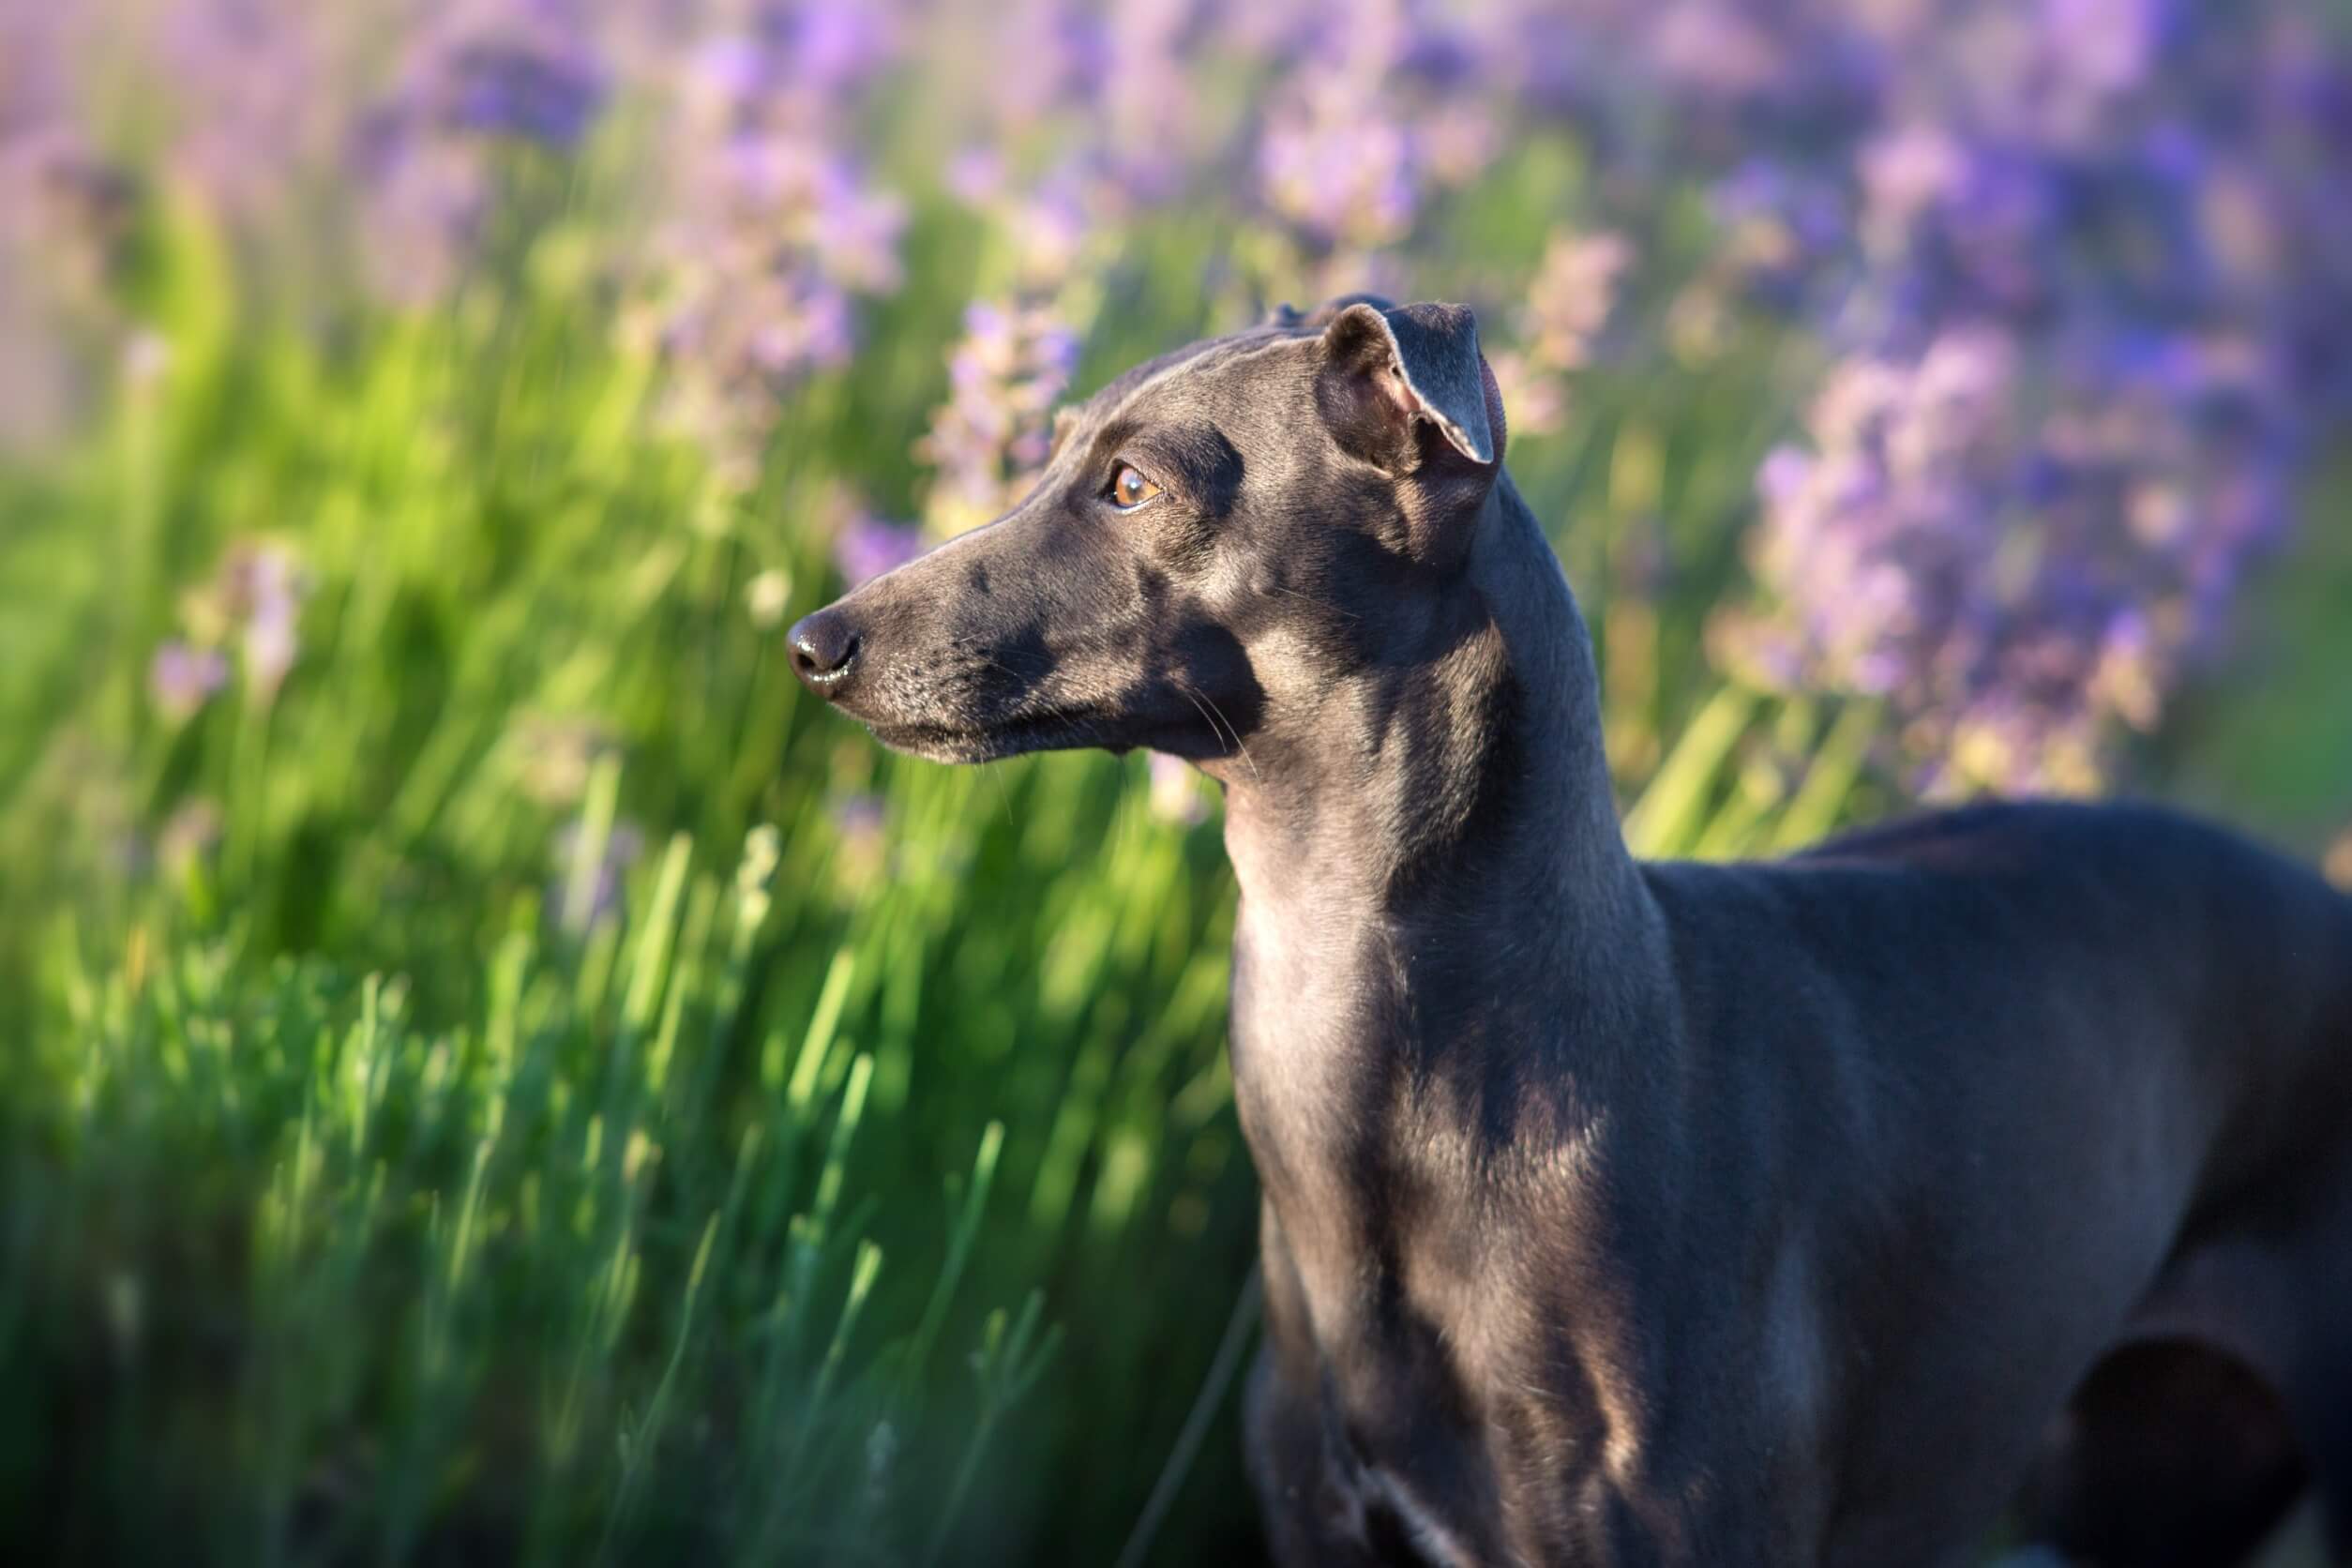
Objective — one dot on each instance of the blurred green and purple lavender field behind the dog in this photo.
(495, 1076)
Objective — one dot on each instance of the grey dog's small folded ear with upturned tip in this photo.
(1394, 380)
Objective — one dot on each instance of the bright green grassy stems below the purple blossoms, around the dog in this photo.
(838, 1193)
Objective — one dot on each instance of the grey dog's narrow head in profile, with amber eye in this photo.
(1220, 537)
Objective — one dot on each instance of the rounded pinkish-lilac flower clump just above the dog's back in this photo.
(2017, 570)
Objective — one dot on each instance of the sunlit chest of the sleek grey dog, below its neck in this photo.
(1415, 1264)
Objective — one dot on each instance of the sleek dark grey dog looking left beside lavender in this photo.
(1615, 1212)
